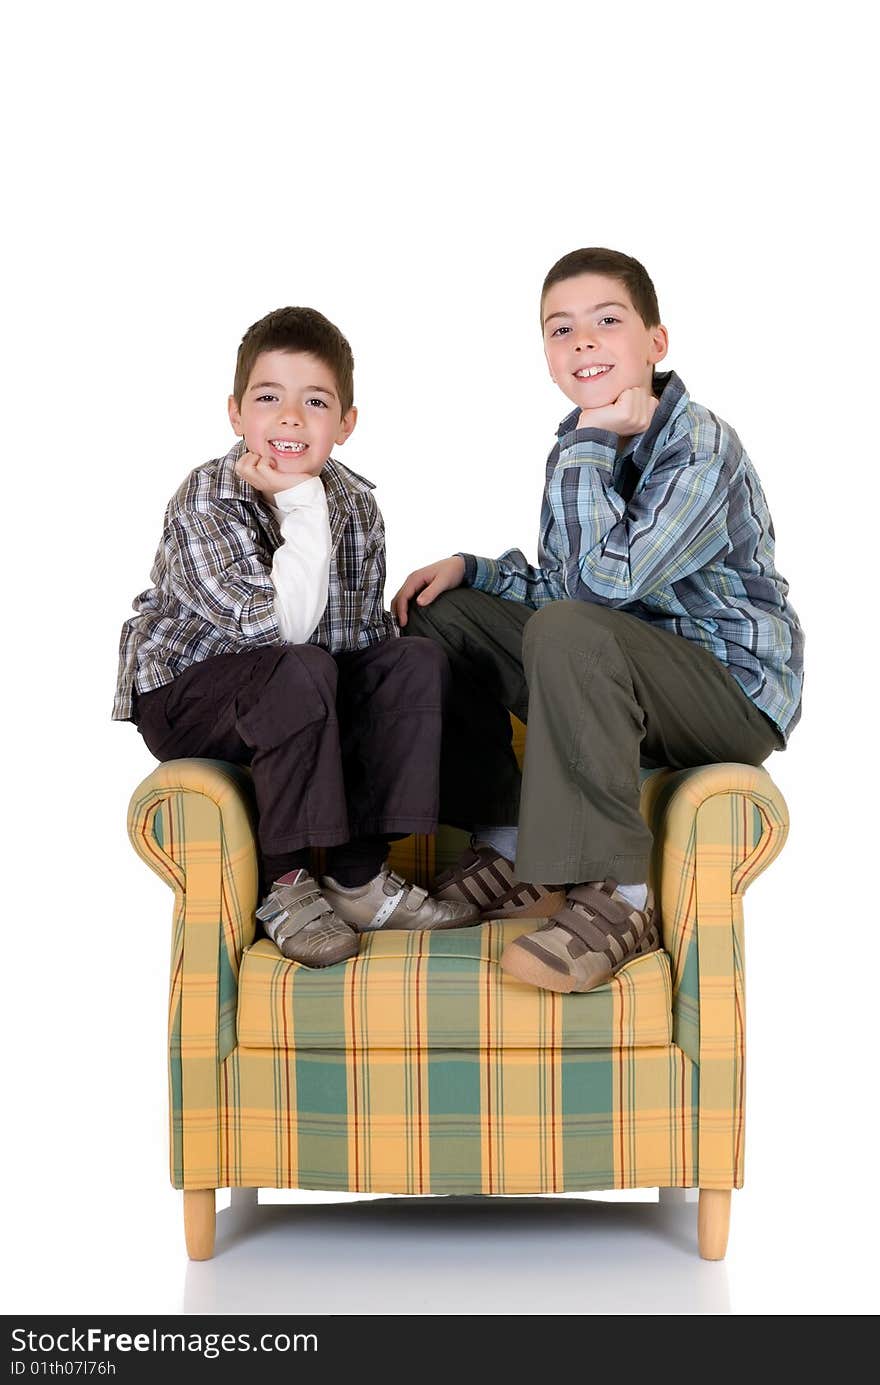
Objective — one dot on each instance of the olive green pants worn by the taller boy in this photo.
(604, 695)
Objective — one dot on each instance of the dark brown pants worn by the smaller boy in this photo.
(342, 747)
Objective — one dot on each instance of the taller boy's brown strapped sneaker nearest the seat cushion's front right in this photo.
(583, 947)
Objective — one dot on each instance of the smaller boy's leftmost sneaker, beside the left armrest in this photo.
(303, 926)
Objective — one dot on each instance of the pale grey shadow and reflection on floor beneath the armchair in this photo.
(458, 1256)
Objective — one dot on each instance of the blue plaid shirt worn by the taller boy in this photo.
(676, 531)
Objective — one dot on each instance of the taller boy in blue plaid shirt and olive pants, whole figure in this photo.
(655, 631)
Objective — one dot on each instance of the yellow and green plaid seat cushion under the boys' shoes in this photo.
(443, 991)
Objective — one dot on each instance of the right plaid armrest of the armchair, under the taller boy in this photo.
(716, 829)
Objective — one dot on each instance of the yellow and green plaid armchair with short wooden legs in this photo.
(419, 1067)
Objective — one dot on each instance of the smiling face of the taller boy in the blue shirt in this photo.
(595, 341)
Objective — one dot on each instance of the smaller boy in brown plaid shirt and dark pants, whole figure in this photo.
(264, 642)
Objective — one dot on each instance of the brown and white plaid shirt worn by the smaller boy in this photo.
(213, 591)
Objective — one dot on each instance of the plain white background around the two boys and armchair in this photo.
(175, 172)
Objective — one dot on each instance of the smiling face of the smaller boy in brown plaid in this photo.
(290, 412)
